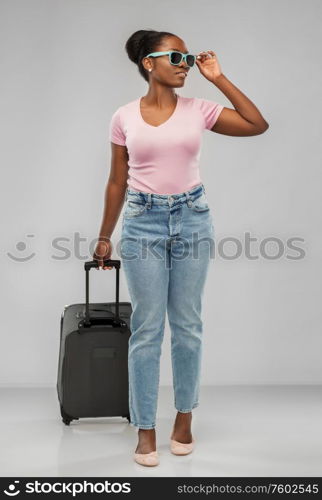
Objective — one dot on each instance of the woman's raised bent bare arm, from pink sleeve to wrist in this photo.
(245, 119)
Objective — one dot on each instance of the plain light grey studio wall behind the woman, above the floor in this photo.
(64, 71)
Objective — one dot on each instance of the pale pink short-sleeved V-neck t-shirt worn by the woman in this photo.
(164, 159)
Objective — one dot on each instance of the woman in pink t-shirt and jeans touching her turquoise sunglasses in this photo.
(155, 143)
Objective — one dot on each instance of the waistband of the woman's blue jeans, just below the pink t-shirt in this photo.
(164, 199)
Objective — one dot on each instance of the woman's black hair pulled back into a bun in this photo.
(141, 43)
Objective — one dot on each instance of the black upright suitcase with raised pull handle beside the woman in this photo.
(92, 376)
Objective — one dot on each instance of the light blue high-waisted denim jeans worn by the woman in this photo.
(166, 245)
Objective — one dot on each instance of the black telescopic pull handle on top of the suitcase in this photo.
(116, 321)
